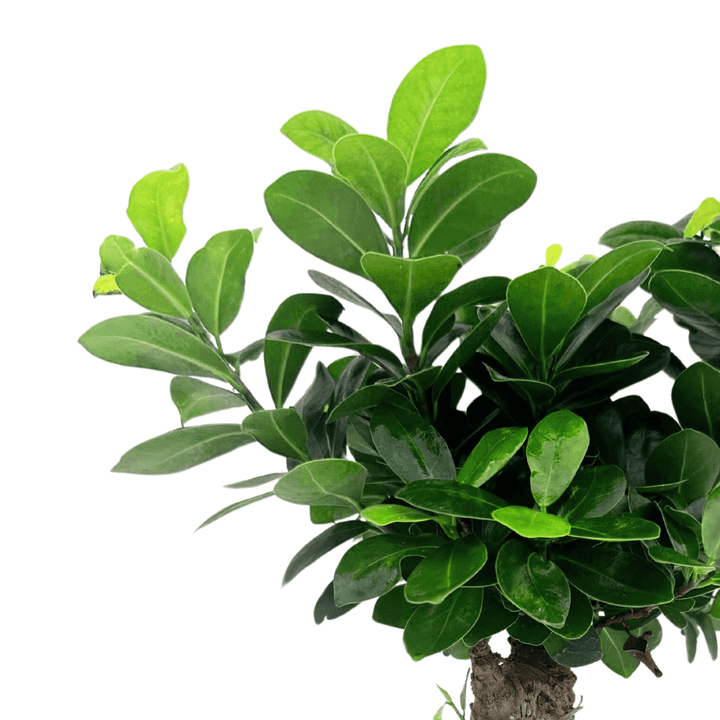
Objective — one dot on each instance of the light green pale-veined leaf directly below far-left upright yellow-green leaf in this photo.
(149, 279)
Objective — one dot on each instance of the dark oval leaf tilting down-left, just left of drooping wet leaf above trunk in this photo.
(446, 569)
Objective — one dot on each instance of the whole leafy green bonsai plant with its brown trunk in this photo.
(547, 509)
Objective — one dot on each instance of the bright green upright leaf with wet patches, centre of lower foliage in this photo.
(555, 449)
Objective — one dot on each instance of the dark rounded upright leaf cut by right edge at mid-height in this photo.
(696, 399)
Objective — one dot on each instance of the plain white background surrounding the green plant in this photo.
(111, 607)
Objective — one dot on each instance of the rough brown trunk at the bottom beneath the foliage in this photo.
(528, 684)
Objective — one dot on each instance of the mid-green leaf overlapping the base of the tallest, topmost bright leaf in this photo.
(376, 170)
